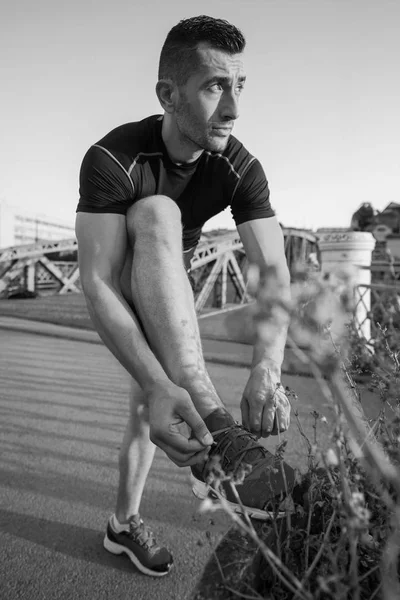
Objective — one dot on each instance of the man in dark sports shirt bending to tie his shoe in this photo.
(144, 188)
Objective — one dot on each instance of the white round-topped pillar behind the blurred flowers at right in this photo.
(351, 248)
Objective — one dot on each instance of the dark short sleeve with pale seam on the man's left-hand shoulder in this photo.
(104, 184)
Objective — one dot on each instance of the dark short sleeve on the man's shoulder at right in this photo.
(250, 199)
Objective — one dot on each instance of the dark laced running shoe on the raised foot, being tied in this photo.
(265, 481)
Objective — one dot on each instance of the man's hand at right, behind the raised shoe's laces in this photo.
(265, 406)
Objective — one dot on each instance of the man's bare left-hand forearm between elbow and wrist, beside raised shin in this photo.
(118, 327)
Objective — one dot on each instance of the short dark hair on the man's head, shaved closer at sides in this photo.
(179, 59)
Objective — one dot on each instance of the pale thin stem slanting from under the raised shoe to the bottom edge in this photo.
(286, 577)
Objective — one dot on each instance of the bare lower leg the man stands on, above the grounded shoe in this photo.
(135, 458)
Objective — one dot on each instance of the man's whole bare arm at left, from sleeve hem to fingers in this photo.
(102, 243)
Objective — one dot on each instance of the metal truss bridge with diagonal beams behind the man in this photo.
(218, 267)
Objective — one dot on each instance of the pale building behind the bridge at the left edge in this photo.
(18, 228)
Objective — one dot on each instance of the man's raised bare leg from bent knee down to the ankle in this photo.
(164, 300)
